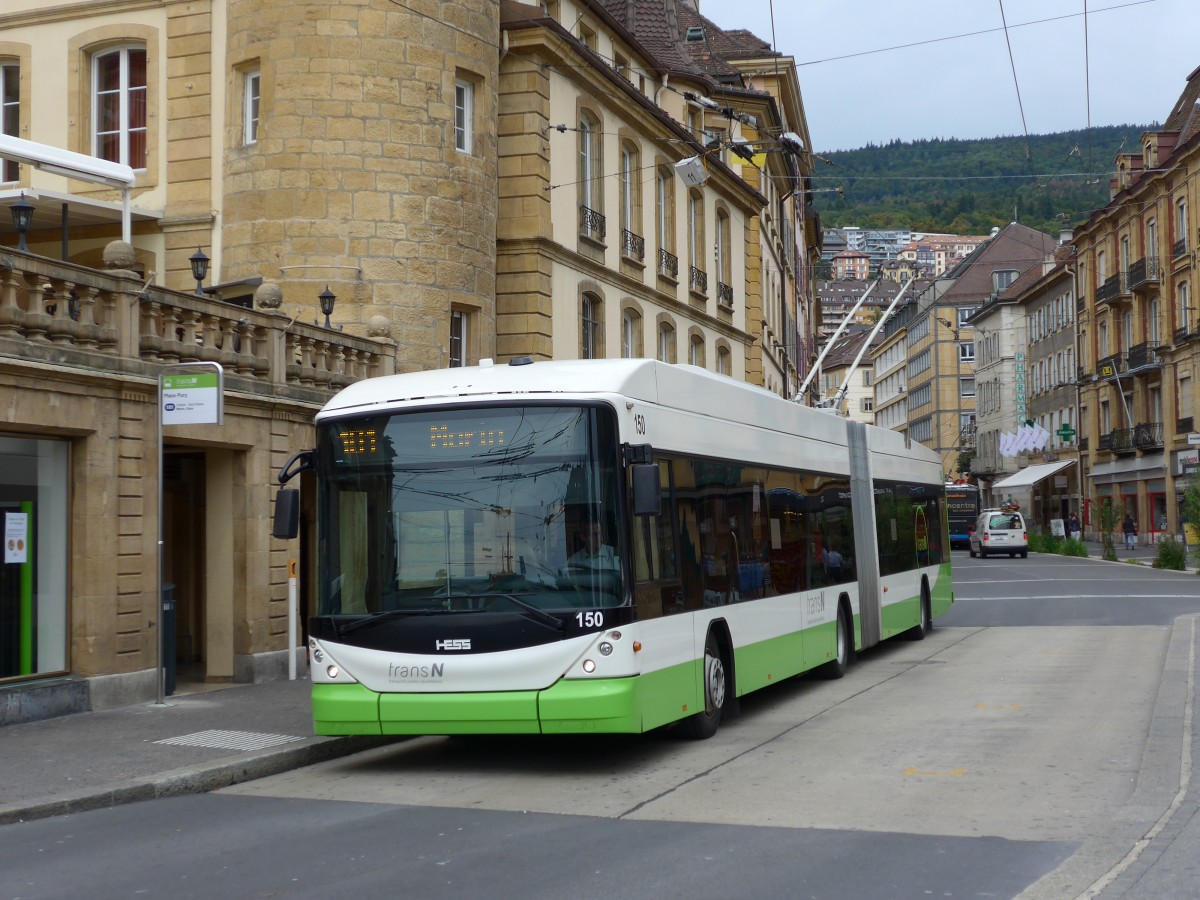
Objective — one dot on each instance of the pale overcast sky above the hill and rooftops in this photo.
(1139, 58)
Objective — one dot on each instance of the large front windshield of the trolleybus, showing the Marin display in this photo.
(470, 509)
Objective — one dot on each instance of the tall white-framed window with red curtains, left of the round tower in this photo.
(119, 106)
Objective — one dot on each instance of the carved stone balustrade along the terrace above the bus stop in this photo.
(67, 315)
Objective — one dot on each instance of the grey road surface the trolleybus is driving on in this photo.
(1033, 745)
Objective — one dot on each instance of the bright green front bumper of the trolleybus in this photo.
(569, 707)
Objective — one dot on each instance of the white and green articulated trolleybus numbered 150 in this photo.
(601, 547)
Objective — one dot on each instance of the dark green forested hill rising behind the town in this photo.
(968, 187)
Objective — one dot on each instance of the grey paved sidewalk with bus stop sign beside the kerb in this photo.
(193, 743)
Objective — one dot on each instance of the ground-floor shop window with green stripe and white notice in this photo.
(34, 591)
